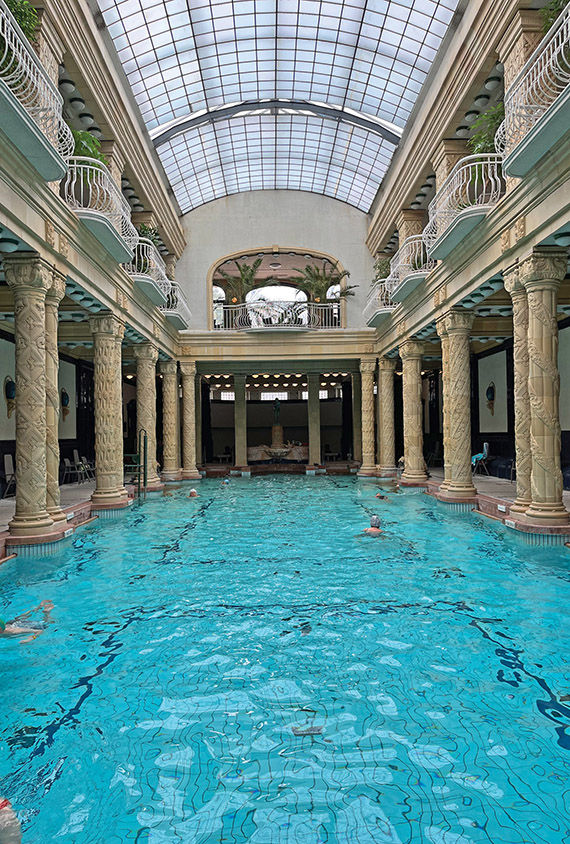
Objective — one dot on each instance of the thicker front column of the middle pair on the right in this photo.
(458, 395)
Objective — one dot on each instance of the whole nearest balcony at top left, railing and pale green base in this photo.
(30, 104)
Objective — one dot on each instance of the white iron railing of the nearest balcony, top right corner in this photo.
(543, 78)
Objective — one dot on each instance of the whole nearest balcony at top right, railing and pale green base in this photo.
(537, 104)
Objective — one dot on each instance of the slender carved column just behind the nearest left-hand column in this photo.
(53, 297)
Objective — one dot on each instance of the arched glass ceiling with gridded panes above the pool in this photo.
(186, 56)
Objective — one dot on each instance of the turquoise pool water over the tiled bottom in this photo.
(246, 667)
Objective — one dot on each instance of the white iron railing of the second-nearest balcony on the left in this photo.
(89, 186)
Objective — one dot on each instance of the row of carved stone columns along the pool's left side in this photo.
(37, 290)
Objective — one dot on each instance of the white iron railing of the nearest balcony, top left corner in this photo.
(23, 73)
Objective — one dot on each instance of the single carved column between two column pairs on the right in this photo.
(414, 472)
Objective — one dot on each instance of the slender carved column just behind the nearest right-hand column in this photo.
(522, 403)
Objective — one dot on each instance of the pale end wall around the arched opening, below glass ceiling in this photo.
(261, 219)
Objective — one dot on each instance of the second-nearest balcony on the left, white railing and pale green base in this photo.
(89, 189)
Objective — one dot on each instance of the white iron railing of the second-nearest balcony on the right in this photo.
(476, 180)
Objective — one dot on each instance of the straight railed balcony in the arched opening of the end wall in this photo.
(277, 316)
